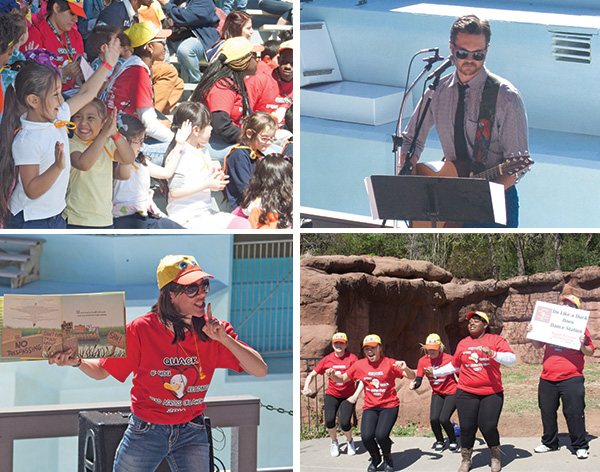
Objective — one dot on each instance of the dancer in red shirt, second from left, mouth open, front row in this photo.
(380, 408)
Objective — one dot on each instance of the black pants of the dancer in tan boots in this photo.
(479, 411)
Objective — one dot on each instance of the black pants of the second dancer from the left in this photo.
(375, 428)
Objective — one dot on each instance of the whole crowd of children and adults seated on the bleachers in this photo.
(81, 137)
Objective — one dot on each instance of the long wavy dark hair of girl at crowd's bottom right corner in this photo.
(272, 182)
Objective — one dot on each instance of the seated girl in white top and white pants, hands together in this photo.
(190, 201)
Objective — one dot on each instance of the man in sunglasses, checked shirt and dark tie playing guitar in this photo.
(479, 117)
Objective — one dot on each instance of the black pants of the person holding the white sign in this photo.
(572, 393)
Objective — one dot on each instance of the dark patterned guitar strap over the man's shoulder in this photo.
(485, 123)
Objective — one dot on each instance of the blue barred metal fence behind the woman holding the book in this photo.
(262, 296)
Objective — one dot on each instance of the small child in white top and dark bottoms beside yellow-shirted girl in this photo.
(133, 203)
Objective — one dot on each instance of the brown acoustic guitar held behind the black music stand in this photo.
(512, 165)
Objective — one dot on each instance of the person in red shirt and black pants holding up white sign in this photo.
(562, 380)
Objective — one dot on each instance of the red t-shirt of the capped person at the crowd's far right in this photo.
(273, 94)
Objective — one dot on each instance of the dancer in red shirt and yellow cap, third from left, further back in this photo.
(443, 389)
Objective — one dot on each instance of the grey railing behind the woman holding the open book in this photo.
(240, 413)
